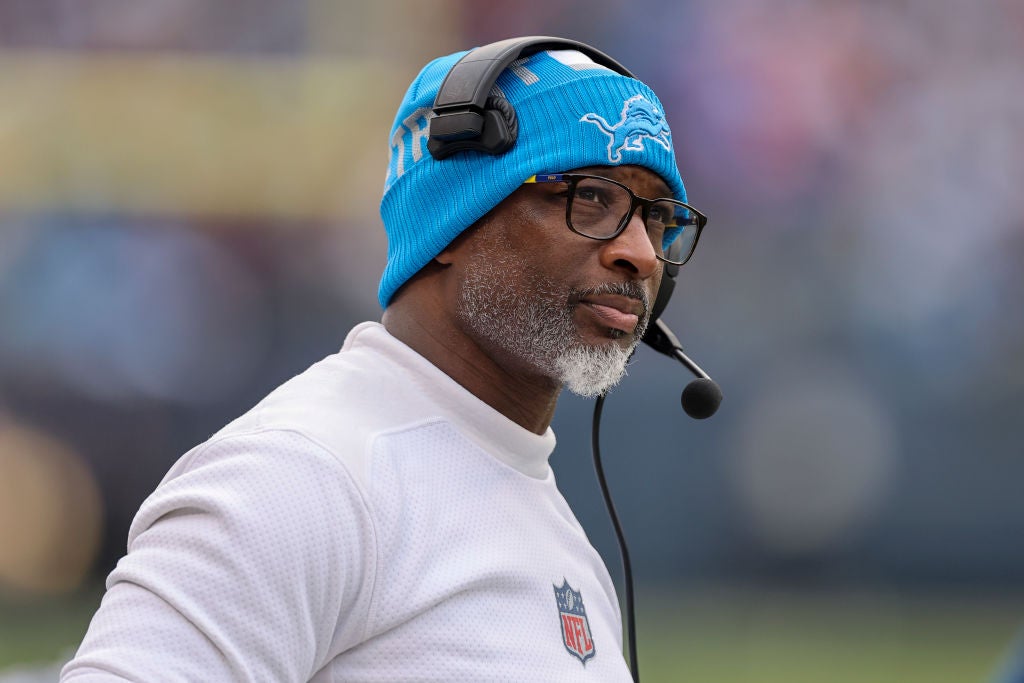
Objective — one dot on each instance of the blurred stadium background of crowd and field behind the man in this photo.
(189, 217)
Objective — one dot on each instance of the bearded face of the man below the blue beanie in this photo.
(543, 301)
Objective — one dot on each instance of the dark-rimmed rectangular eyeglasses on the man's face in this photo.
(601, 208)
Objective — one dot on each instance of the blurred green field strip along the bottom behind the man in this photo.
(712, 635)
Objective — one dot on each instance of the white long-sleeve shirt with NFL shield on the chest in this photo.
(369, 521)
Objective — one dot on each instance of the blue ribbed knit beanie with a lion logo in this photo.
(573, 113)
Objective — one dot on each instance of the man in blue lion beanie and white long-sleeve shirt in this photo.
(391, 515)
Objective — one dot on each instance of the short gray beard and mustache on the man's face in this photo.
(540, 331)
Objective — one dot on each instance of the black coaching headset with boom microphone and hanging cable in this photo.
(468, 118)
